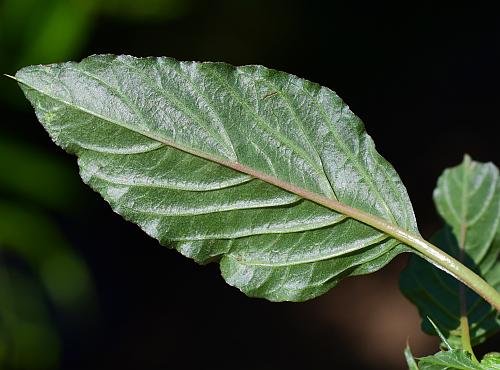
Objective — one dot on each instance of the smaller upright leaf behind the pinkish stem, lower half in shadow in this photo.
(468, 199)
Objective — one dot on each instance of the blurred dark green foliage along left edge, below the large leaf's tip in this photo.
(39, 271)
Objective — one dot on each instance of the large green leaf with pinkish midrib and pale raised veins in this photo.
(237, 165)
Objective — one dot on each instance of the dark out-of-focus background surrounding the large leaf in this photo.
(423, 78)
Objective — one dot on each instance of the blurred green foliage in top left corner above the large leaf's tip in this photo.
(47, 31)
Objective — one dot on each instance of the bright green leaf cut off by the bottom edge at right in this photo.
(455, 359)
